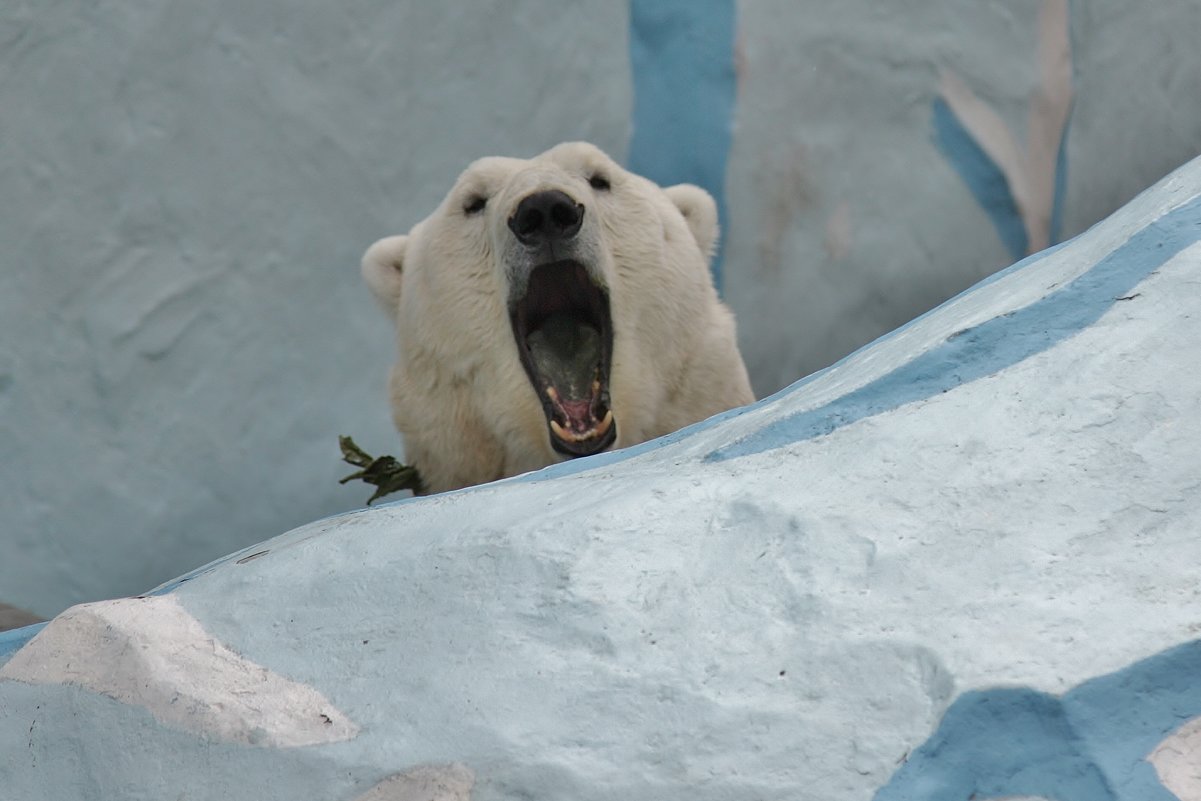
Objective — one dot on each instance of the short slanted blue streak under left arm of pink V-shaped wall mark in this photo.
(985, 181)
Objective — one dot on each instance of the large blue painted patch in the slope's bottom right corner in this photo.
(1090, 745)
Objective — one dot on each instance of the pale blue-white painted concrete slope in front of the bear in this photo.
(960, 564)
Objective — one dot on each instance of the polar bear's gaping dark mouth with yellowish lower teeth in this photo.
(565, 338)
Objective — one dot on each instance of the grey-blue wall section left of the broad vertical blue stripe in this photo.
(188, 190)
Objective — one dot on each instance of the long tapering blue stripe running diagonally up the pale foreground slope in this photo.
(996, 344)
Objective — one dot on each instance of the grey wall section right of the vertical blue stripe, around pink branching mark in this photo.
(850, 217)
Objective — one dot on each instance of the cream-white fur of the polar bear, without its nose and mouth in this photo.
(459, 394)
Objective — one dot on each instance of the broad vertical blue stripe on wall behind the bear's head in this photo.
(682, 57)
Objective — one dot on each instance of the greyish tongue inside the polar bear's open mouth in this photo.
(566, 352)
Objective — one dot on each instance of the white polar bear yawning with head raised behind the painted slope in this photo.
(549, 309)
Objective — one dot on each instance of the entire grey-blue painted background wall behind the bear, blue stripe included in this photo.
(189, 187)
